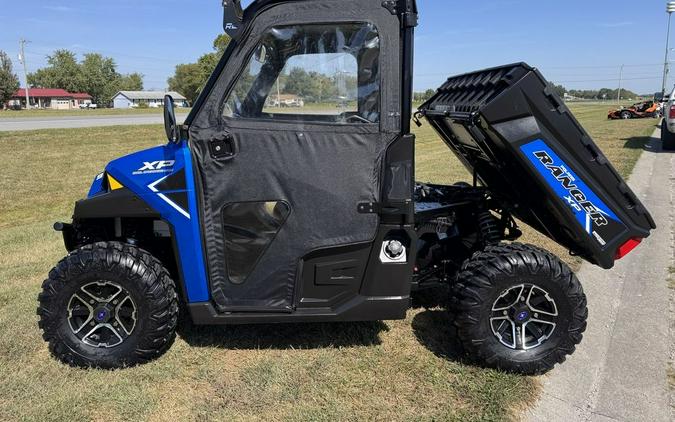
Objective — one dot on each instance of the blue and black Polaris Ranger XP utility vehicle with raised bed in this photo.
(260, 214)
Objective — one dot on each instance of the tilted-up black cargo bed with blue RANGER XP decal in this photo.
(517, 136)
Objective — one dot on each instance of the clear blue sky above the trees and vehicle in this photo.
(580, 44)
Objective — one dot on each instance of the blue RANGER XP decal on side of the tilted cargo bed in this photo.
(596, 218)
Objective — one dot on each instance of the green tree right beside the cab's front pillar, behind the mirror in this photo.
(190, 78)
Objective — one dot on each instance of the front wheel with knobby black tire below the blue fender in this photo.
(118, 288)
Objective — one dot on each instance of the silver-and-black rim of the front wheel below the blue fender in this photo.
(102, 314)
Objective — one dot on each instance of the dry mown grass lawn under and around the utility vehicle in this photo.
(396, 370)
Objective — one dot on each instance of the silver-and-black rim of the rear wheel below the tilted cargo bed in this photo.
(523, 317)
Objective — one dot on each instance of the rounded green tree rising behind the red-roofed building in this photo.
(63, 72)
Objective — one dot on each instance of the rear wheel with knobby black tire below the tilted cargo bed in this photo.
(490, 281)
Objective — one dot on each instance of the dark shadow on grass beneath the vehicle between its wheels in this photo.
(284, 336)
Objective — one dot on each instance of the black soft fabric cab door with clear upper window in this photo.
(290, 141)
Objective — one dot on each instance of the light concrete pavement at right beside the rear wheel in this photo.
(619, 370)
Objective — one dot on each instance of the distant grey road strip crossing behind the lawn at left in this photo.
(62, 122)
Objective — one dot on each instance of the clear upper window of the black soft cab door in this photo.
(311, 73)
